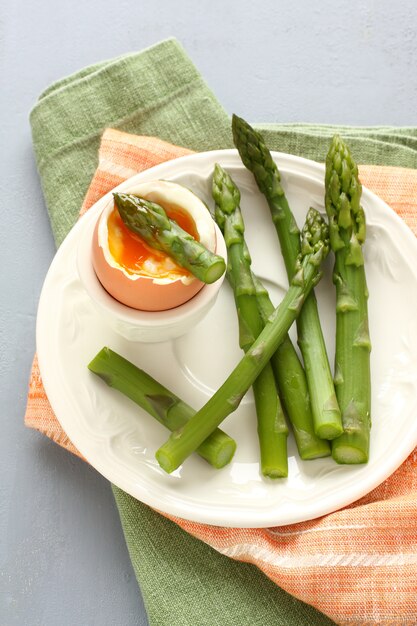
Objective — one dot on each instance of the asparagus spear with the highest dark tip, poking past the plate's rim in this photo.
(257, 158)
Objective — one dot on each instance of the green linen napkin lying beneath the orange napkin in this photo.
(159, 92)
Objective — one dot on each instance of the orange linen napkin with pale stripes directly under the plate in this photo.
(357, 565)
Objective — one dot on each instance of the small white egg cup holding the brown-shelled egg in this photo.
(143, 326)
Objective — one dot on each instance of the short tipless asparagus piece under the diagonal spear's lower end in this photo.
(117, 372)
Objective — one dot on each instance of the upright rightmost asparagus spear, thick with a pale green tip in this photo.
(352, 363)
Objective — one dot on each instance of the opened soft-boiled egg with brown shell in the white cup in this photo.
(136, 274)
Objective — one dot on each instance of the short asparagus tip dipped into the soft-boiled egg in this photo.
(150, 221)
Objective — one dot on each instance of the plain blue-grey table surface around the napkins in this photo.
(63, 560)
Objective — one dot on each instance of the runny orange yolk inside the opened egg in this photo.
(132, 253)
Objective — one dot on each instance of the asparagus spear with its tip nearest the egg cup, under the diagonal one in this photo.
(272, 428)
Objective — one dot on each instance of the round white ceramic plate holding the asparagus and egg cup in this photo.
(119, 439)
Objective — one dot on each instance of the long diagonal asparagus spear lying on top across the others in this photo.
(227, 398)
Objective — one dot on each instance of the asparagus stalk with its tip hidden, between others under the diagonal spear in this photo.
(292, 385)
